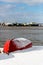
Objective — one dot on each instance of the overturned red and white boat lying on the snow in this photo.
(16, 44)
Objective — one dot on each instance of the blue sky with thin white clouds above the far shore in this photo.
(21, 11)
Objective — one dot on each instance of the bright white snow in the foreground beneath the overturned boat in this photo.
(31, 56)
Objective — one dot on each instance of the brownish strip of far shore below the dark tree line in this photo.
(20, 27)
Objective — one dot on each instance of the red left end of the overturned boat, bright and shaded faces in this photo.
(9, 46)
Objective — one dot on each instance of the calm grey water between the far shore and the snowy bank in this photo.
(36, 36)
